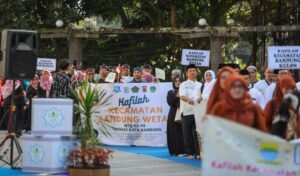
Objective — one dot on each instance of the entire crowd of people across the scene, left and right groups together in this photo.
(231, 93)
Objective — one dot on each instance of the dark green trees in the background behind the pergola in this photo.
(163, 51)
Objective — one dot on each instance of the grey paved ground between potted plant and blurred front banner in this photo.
(130, 164)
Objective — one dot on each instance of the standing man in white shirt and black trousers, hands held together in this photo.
(189, 92)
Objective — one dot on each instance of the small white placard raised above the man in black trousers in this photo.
(197, 57)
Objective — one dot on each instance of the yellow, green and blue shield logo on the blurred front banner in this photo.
(269, 153)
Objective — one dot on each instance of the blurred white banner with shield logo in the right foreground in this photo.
(231, 149)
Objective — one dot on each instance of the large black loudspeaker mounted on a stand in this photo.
(19, 54)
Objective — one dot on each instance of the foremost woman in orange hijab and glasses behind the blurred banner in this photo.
(238, 106)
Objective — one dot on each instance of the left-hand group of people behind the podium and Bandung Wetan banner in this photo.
(46, 84)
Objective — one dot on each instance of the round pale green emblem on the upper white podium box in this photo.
(53, 117)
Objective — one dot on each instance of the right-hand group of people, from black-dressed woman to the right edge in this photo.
(270, 104)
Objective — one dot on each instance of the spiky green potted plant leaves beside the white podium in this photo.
(88, 98)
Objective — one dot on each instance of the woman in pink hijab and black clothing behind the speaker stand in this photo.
(19, 101)
